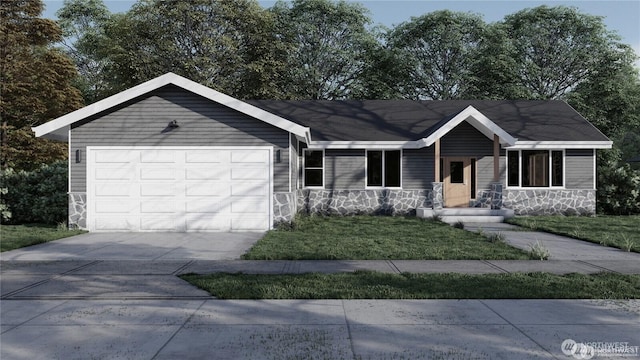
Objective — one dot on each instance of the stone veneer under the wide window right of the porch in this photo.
(550, 201)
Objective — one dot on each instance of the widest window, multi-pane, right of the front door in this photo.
(535, 168)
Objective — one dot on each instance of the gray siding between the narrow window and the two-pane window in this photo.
(344, 169)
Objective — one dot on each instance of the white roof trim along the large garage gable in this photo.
(58, 129)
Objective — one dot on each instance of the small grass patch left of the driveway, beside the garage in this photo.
(17, 236)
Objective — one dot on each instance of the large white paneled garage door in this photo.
(178, 189)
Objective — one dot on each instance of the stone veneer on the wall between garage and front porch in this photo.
(353, 202)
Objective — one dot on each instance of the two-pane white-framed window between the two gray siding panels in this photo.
(383, 168)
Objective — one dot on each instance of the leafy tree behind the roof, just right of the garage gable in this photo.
(328, 45)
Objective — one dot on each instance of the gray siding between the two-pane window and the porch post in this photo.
(418, 168)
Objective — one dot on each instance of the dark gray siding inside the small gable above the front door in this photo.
(465, 140)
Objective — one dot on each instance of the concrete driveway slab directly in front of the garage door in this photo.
(140, 246)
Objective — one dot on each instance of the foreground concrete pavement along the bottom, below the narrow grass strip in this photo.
(322, 329)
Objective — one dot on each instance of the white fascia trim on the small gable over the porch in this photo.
(478, 120)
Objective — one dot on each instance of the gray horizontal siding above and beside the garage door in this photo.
(202, 123)
